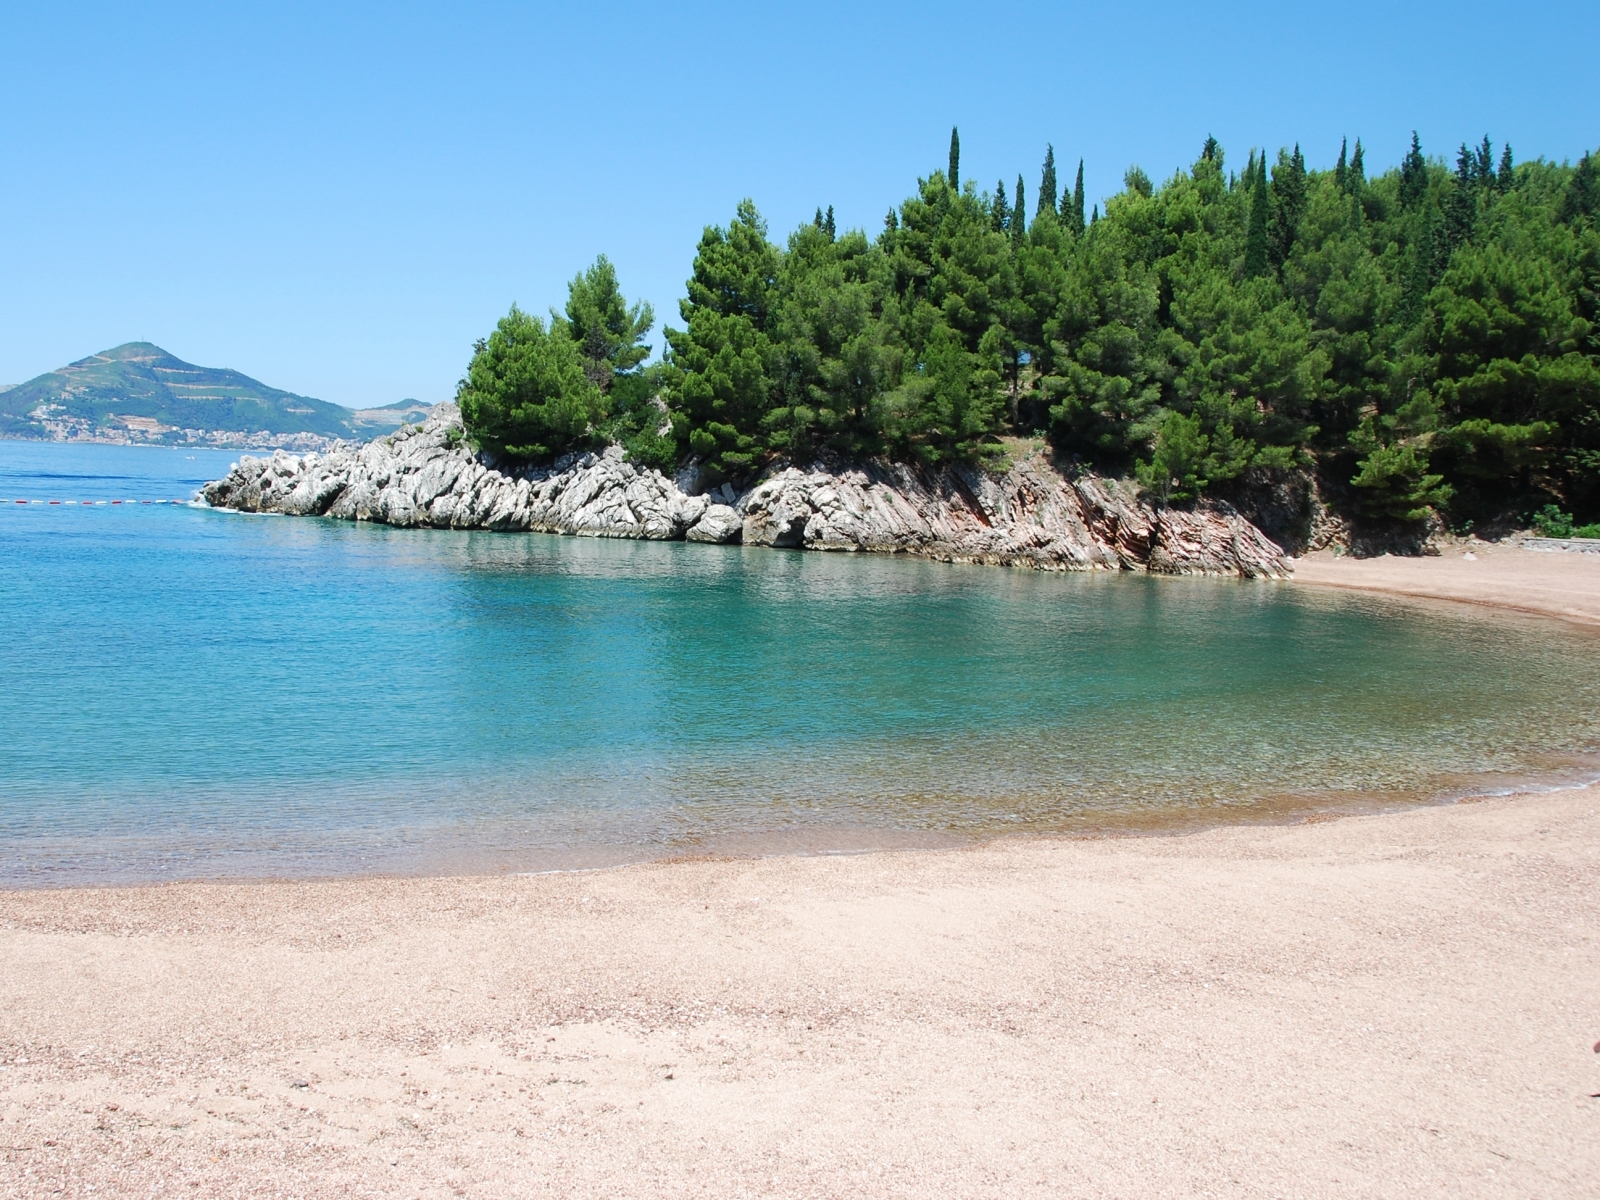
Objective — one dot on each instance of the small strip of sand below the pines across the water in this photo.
(1500, 577)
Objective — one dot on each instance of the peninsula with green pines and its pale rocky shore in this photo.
(1337, 359)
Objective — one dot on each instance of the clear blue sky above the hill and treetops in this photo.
(340, 199)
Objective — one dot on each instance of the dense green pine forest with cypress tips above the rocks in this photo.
(1422, 342)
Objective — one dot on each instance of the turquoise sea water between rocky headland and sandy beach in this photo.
(188, 692)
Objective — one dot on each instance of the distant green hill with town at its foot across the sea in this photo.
(145, 393)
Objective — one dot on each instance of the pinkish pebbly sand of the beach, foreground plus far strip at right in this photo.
(1369, 1007)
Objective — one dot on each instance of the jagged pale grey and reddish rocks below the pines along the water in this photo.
(1031, 516)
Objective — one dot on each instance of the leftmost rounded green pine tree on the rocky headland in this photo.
(527, 394)
